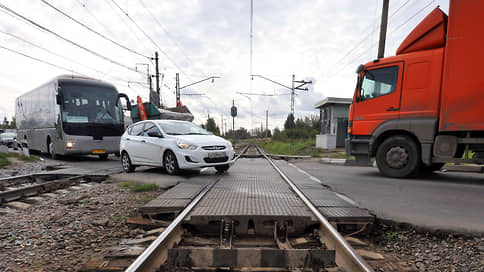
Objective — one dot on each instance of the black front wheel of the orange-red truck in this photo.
(398, 157)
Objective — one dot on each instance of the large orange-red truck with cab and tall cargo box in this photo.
(424, 106)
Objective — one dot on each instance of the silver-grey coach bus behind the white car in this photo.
(71, 115)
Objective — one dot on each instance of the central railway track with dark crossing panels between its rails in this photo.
(198, 241)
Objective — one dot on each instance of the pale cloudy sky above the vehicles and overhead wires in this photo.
(323, 40)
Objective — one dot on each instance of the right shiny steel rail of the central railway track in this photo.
(349, 260)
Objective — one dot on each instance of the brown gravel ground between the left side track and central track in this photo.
(61, 233)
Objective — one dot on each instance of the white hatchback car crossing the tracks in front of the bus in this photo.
(173, 145)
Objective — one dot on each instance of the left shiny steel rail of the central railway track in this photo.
(145, 261)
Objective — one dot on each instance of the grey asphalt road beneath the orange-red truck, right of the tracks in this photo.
(444, 200)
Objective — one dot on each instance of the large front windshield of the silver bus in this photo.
(90, 104)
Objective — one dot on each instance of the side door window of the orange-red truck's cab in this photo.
(378, 82)
